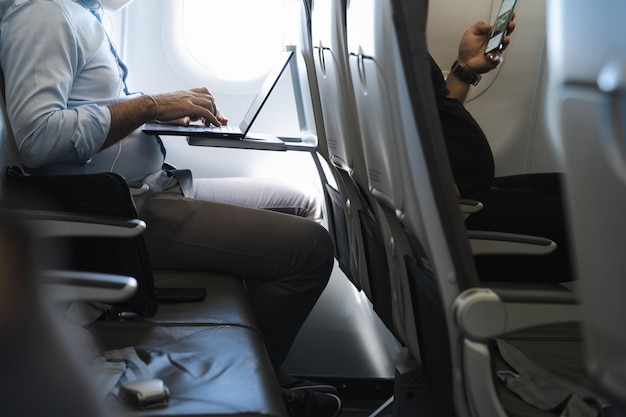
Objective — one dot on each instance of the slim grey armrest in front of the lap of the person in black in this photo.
(499, 243)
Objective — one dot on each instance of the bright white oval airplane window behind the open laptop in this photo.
(237, 39)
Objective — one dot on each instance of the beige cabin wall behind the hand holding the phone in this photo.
(508, 103)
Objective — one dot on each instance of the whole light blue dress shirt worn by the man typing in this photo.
(59, 76)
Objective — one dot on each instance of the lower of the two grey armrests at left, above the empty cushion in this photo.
(67, 286)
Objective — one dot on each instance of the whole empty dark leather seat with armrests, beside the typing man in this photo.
(209, 353)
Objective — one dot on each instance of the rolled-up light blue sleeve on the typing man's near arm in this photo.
(41, 55)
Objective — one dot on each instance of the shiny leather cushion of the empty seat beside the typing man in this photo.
(211, 370)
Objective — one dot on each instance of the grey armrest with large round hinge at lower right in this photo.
(483, 313)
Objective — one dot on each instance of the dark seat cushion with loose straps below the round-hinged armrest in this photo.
(543, 367)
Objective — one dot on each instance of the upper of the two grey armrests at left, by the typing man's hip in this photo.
(61, 224)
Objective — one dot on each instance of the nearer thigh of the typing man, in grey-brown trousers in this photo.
(185, 233)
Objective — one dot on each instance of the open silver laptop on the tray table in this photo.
(228, 131)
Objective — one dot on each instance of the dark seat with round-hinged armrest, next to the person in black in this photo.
(513, 349)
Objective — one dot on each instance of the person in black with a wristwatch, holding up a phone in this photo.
(527, 204)
